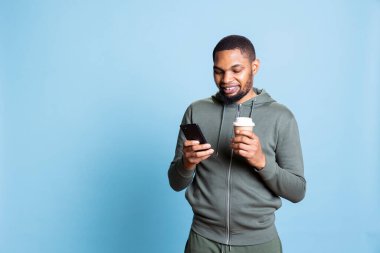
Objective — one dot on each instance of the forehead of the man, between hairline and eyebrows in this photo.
(230, 57)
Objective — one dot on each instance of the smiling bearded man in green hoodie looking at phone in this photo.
(235, 181)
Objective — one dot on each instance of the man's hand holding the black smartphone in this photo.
(192, 154)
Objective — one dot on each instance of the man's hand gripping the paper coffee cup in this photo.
(247, 145)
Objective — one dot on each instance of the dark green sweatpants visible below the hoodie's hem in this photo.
(199, 244)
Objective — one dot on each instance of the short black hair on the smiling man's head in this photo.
(236, 42)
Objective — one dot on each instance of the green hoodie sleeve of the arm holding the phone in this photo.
(179, 177)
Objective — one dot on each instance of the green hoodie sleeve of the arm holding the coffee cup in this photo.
(284, 173)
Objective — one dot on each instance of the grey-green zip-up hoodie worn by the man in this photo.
(233, 203)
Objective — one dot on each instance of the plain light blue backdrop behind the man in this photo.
(92, 93)
